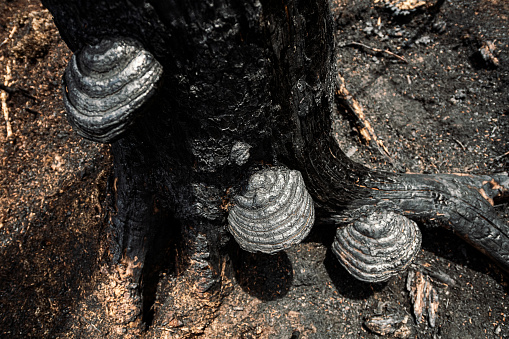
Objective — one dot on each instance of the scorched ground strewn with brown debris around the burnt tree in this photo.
(444, 108)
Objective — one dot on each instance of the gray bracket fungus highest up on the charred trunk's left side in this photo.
(106, 85)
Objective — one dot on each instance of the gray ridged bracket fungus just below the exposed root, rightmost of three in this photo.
(377, 247)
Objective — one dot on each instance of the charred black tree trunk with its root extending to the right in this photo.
(260, 73)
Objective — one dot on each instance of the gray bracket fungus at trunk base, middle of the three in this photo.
(274, 213)
